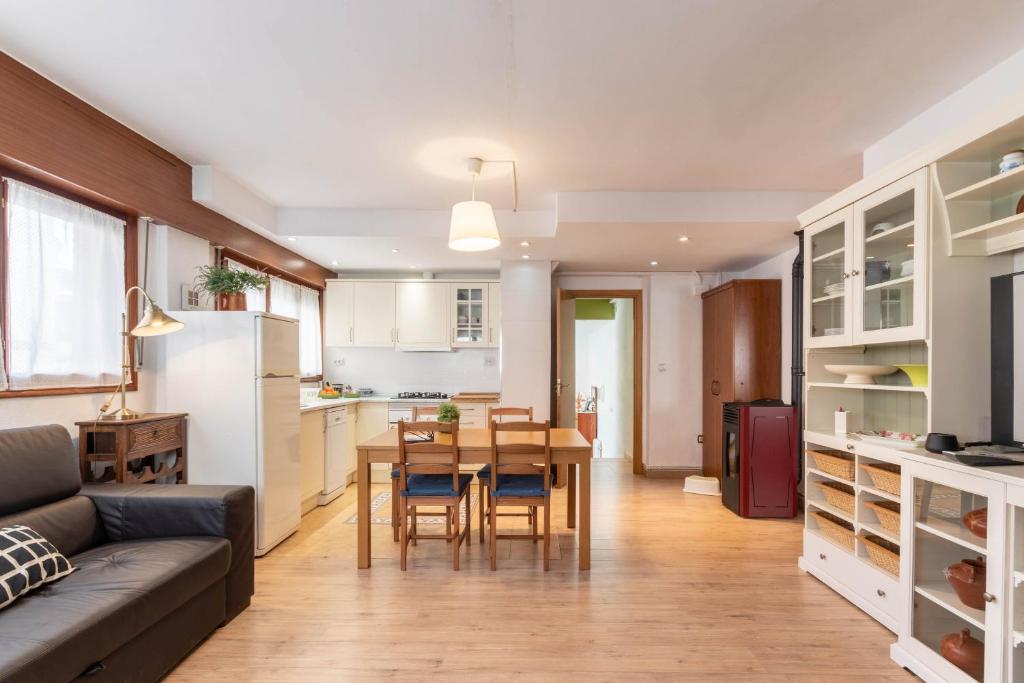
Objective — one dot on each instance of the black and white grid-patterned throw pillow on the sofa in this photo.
(27, 562)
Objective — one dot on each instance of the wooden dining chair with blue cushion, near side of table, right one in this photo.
(522, 477)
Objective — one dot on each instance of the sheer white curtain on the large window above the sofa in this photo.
(66, 287)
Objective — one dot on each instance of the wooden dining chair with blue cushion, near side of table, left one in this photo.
(429, 475)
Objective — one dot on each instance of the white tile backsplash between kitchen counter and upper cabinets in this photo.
(389, 371)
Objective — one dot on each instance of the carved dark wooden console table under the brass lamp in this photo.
(131, 448)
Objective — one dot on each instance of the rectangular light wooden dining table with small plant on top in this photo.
(569, 447)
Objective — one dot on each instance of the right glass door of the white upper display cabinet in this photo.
(889, 275)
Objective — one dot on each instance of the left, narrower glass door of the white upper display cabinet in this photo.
(828, 289)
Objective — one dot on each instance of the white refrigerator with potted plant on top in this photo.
(237, 375)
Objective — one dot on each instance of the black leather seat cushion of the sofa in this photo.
(118, 591)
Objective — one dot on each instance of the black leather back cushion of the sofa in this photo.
(38, 465)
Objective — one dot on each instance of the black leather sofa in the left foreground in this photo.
(158, 568)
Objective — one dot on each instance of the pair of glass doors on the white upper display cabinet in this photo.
(866, 269)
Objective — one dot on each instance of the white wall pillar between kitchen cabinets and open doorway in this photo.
(526, 357)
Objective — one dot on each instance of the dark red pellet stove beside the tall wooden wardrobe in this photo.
(759, 459)
